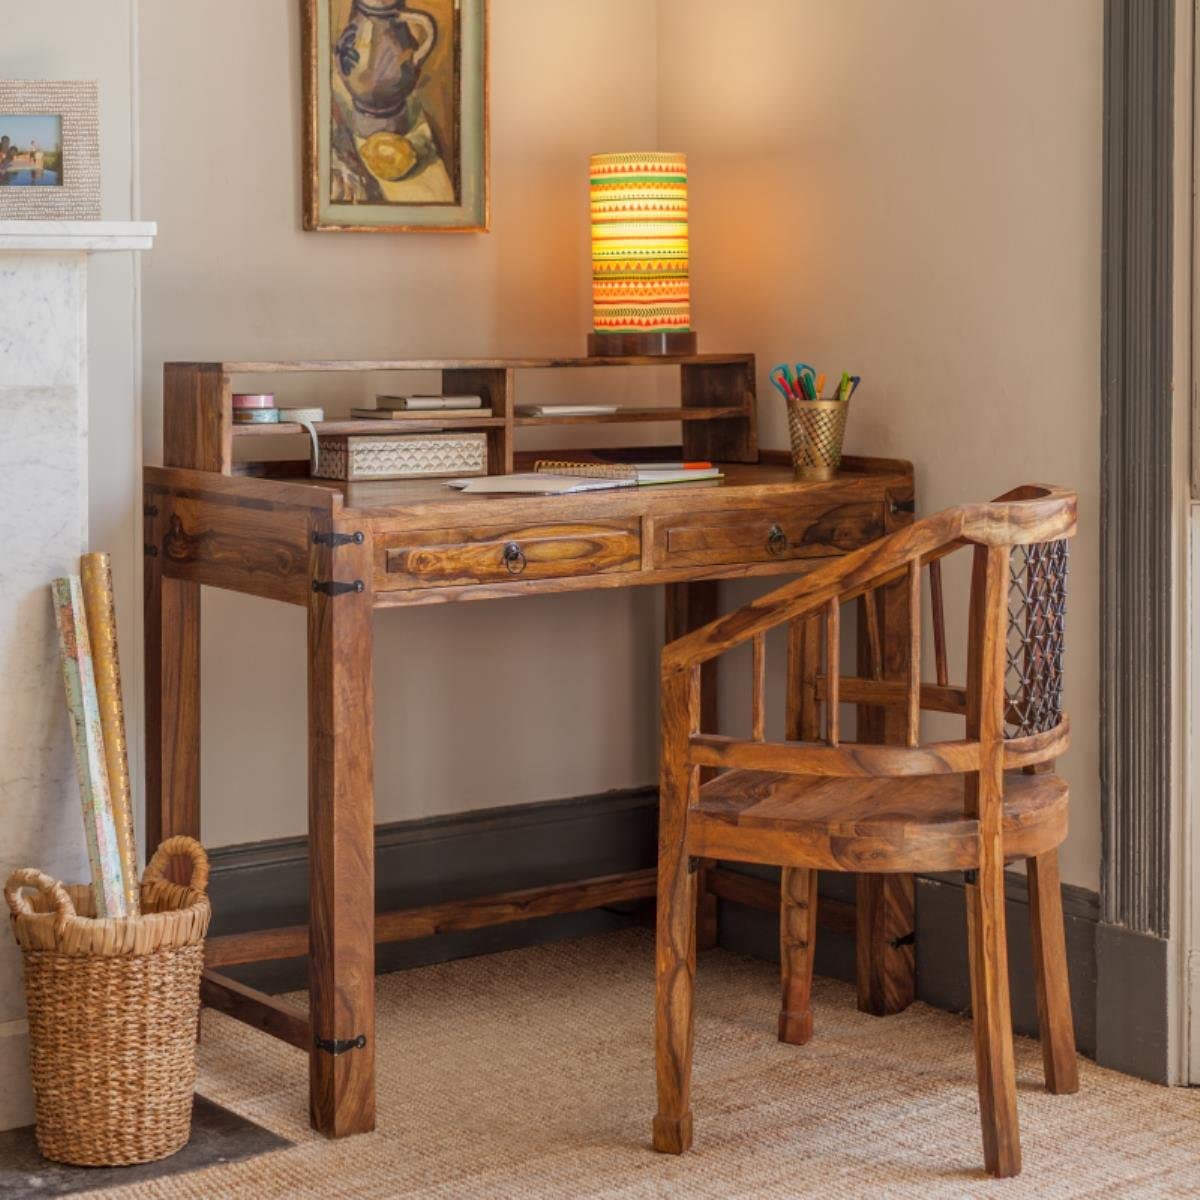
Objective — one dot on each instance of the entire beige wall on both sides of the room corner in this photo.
(917, 196)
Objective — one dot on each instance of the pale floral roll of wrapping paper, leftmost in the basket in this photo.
(87, 734)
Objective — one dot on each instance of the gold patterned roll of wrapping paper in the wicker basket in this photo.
(98, 598)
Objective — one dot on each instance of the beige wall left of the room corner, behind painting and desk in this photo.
(479, 705)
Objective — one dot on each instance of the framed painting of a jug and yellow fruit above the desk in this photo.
(395, 122)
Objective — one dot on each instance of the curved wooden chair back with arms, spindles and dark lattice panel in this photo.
(1012, 700)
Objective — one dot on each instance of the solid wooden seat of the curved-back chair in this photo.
(915, 824)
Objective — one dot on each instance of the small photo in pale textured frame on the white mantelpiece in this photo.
(50, 151)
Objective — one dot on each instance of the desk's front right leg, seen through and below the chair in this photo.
(886, 913)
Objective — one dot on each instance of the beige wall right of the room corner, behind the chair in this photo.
(916, 194)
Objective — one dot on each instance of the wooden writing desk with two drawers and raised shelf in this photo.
(344, 551)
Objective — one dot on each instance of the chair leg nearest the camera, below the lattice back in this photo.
(993, 1021)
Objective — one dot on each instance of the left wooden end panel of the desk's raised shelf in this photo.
(197, 417)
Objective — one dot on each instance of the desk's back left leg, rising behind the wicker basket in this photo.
(172, 699)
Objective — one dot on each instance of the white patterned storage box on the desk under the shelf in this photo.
(407, 457)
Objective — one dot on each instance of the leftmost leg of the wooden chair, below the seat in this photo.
(674, 999)
